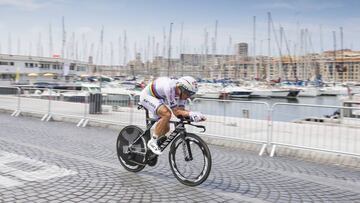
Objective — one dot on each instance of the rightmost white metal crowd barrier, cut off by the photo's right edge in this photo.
(330, 132)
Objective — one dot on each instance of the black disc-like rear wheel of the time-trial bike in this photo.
(131, 158)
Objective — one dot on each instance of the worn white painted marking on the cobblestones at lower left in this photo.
(43, 170)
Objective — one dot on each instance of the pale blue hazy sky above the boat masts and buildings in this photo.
(24, 26)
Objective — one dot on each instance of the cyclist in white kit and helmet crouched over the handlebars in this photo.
(165, 91)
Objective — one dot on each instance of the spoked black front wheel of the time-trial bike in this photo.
(190, 159)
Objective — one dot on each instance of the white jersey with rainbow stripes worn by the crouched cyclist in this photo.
(163, 88)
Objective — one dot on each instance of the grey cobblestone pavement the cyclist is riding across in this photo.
(58, 162)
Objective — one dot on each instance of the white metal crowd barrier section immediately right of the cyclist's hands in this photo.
(246, 121)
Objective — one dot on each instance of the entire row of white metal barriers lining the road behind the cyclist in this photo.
(292, 125)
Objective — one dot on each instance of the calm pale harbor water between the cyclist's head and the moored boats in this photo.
(255, 109)
